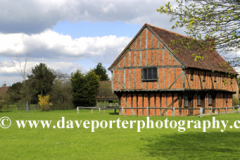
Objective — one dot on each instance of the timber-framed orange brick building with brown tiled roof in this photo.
(148, 73)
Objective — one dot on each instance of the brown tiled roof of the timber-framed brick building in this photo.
(184, 54)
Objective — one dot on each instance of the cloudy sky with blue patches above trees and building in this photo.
(68, 35)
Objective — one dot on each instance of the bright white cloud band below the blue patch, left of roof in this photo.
(54, 46)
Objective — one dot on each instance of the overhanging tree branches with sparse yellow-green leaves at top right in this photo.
(214, 24)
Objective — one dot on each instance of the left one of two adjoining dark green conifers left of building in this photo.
(80, 88)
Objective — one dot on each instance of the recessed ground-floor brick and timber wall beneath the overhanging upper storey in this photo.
(171, 100)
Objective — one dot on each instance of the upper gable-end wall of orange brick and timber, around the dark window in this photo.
(146, 50)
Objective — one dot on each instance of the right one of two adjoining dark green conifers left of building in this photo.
(93, 81)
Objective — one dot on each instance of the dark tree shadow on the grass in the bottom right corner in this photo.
(212, 145)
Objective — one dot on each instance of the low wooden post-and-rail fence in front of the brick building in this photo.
(149, 111)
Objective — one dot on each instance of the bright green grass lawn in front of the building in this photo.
(80, 143)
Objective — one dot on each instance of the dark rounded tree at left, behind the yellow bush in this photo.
(42, 78)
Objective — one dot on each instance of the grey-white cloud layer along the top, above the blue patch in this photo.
(34, 16)
